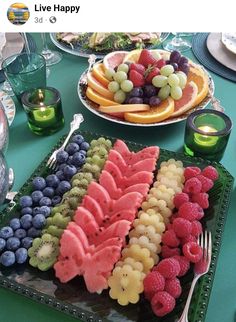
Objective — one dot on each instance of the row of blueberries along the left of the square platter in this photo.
(17, 237)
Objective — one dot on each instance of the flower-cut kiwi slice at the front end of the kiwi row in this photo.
(44, 251)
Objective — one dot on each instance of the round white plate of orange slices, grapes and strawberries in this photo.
(145, 87)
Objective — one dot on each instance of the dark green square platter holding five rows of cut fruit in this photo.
(111, 233)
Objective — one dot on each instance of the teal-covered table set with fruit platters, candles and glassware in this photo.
(111, 152)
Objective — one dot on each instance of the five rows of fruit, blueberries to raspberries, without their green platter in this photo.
(98, 217)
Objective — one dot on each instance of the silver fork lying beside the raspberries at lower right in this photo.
(200, 268)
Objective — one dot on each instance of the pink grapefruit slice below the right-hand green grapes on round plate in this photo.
(185, 103)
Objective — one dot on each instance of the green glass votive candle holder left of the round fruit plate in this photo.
(43, 109)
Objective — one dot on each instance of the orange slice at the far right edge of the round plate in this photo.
(200, 78)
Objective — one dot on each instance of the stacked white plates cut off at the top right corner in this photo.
(222, 46)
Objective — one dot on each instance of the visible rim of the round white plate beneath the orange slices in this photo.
(92, 107)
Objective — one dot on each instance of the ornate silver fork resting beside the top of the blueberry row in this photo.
(74, 125)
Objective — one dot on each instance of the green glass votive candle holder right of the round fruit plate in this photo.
(206, 134)
